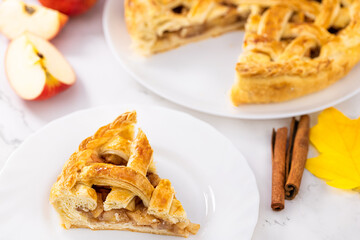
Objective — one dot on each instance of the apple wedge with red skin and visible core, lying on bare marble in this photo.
(36, 69)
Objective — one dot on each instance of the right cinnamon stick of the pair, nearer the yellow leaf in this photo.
(297, 155)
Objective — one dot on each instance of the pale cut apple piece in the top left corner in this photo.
(16, 17)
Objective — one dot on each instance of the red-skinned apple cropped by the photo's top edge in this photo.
(69, 7)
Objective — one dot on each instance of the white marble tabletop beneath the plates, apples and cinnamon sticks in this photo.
(318, 212)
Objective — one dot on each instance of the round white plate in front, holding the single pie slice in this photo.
(210, 176)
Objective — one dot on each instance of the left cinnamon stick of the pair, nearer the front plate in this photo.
(278, 152)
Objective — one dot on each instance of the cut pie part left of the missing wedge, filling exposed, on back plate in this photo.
(160, 25)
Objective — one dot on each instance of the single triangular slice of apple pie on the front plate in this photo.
(111, 183)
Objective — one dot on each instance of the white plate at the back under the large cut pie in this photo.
(199, 75)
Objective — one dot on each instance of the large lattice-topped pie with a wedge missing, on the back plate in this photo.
(291, 48)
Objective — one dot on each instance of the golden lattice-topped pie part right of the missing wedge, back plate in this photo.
(295, 48)
